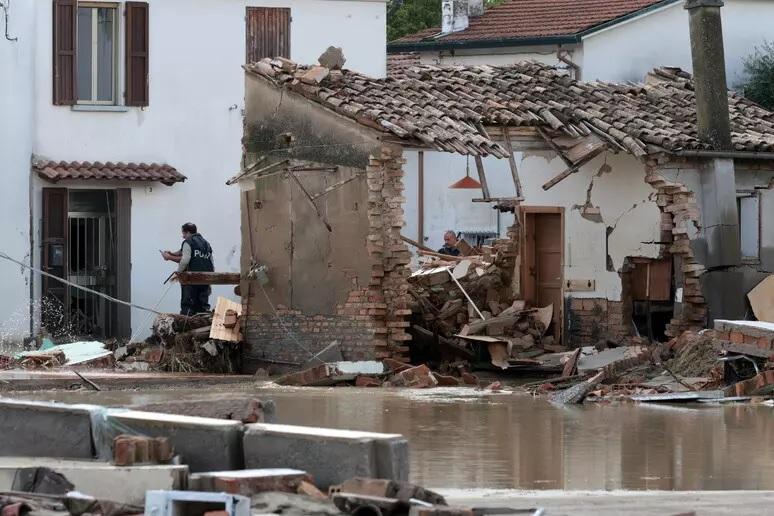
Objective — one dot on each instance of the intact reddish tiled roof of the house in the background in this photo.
(517, 19)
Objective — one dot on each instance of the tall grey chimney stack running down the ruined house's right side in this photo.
(717, 246)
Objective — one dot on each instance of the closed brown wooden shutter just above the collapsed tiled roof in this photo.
(268, 33)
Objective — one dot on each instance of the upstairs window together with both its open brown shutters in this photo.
(87, 46)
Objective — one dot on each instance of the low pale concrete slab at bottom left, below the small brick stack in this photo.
(125, 484)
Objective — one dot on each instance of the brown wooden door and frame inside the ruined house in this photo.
(542, 272)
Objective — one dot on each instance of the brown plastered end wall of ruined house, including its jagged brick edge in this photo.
(320, 210)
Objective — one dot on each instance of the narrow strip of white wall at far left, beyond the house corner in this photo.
(16, 107)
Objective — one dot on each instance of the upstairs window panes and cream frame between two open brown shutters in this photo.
(96, 54)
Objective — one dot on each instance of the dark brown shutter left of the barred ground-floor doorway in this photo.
(54, 257)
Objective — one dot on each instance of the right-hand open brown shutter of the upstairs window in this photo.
(137, 52)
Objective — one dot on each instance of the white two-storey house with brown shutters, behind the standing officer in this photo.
(133, 131)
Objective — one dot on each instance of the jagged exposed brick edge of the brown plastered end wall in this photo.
(389, 253)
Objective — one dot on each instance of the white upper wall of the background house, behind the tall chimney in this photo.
(628, 51)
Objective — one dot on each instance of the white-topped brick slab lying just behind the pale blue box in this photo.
(247, 482)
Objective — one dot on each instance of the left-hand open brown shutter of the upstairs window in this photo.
(64, 26)
